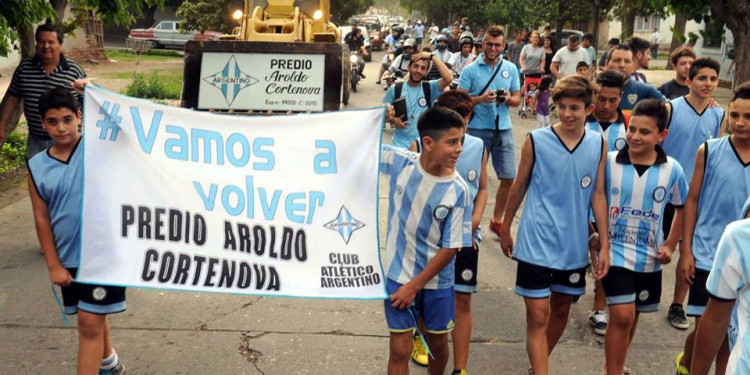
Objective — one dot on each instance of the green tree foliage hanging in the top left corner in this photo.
(18, 18)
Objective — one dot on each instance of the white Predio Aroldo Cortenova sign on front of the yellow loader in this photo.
(262, 81)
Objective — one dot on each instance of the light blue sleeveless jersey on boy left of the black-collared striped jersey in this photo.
(554, 226)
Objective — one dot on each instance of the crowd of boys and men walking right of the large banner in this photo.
(630, 174)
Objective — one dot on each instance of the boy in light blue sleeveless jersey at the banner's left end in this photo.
(56, 189)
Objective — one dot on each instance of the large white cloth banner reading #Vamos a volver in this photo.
(279, 206)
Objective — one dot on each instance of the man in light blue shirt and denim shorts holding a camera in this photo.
(494, 86)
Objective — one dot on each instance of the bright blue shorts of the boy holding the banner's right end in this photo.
(435, 306)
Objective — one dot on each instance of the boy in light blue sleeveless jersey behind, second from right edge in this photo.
(693, 119)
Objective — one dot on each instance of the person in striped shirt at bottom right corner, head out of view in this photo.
(726, 283)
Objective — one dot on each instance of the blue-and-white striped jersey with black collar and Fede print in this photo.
(636, 207)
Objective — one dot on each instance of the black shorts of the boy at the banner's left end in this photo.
(95, 299)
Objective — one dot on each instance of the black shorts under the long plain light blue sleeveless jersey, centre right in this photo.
(534, 281)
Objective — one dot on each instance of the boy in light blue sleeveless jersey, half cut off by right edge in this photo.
(720, 185)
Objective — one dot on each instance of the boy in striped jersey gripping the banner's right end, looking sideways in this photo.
(429, 218)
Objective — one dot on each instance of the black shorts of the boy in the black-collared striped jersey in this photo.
(622, 286)
